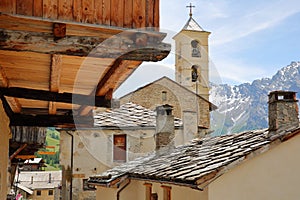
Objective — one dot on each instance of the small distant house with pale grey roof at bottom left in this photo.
(39, 185)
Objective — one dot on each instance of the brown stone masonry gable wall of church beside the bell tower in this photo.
(180, 98)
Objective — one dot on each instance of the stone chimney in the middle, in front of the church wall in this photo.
(165, 131)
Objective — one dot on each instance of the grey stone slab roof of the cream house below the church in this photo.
(128, 115)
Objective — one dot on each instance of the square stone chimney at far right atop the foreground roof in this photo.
(283, 110)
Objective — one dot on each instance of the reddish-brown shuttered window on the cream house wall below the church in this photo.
(119, 154)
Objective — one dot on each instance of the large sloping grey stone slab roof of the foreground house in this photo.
(196, 164)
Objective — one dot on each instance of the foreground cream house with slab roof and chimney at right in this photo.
(258, 164)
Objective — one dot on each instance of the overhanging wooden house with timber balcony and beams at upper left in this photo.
(60, 59)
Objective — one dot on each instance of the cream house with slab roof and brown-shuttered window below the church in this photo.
(119, 135)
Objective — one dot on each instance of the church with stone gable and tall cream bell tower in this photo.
(189, 93)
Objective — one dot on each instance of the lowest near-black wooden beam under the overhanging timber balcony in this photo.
(50, 120)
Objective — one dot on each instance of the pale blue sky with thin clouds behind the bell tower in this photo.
(249, 39)
